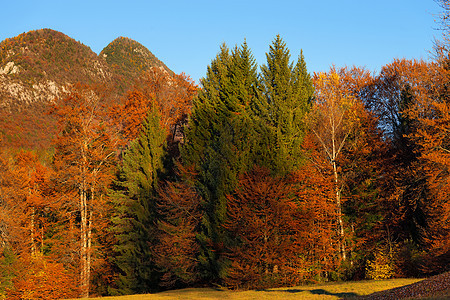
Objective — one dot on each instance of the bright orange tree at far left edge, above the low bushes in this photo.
(25, 193)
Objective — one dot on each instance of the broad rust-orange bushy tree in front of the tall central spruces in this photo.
(281, 229)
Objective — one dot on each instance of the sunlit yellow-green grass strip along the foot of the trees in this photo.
(319, 291)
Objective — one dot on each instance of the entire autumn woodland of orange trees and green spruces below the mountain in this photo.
(261, 176)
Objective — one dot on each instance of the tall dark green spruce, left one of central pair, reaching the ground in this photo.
(220, 144)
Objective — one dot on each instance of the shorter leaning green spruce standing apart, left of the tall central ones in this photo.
(134, 203)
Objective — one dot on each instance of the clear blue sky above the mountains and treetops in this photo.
(186, 35)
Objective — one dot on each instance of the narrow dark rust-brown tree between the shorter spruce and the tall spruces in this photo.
(180, 215)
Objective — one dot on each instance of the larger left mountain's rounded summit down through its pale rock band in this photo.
(38, 65)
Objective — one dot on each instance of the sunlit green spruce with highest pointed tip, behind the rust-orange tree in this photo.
(287, 91)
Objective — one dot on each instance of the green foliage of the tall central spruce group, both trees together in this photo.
(239, 121)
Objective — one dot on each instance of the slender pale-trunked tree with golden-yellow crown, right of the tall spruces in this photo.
(334, 119)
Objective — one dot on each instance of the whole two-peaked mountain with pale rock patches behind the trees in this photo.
(40, 65)
